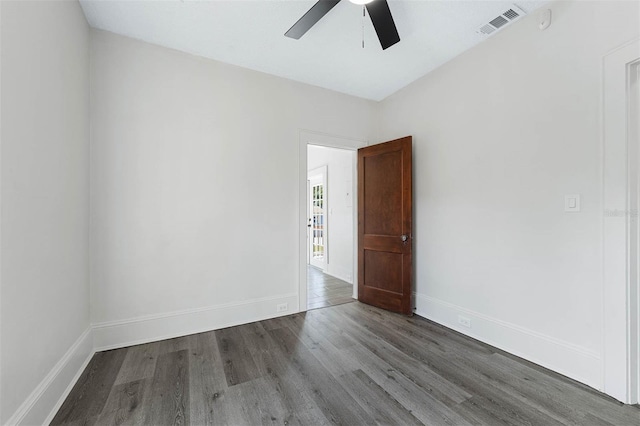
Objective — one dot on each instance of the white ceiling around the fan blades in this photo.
(251, 34)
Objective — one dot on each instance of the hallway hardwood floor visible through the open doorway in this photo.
(324, 290)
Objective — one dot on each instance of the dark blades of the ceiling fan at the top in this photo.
(378, 11)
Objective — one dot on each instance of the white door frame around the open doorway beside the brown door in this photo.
(307, 137)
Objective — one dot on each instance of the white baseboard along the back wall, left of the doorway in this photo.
(135, 331)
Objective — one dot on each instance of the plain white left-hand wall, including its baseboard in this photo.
(44, 190)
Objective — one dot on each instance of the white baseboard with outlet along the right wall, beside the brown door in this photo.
(571, 360)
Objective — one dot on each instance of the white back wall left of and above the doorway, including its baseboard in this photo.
(194, 188)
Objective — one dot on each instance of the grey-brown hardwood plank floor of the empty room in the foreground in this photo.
(350, 364)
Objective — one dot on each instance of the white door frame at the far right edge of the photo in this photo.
(620, 356)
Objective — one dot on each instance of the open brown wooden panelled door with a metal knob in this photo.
(384, 225)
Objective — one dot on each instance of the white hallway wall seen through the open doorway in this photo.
(339, 164)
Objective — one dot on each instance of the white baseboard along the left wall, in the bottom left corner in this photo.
(47, 397)
